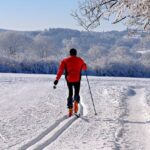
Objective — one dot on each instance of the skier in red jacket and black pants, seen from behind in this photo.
(72, 66)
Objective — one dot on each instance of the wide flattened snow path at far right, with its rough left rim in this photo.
(134, 122)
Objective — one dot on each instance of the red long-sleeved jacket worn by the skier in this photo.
(73, 66)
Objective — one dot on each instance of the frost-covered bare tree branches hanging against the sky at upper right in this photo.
(134, 13)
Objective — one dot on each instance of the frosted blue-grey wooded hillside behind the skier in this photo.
(111, 53)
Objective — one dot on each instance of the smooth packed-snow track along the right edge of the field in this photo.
(137, 121)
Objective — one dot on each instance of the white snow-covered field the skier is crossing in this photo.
(33, 115)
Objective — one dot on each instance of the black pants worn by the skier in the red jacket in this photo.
(76, 87)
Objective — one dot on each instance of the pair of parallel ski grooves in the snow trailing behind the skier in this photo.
(52, 133)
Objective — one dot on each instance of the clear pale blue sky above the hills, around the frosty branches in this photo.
(30, 15)
